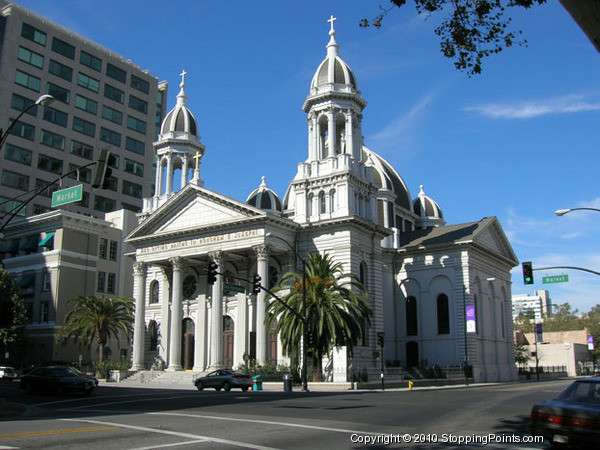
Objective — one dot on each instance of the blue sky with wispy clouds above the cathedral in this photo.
(517, 142)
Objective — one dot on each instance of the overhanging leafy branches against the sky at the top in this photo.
(470, 29)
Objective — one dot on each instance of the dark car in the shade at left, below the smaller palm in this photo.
(58, 379)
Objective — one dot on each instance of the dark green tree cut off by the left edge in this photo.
(12, 314)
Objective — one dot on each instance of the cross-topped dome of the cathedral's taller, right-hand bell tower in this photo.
(333, 73)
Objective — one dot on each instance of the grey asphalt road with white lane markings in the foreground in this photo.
(490, 416)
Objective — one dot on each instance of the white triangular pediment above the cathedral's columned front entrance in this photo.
(195, 208)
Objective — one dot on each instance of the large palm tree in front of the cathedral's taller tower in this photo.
(336, 309)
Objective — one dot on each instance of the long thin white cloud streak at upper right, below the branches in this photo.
(529, 109)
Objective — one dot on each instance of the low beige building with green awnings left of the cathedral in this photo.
(58, 256)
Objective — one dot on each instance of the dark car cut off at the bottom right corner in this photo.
(572, 418)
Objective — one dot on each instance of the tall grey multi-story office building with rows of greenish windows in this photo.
(101, 100)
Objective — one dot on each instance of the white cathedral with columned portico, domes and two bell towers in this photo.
(345, 200)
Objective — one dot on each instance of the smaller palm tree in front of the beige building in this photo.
(98, 319)
